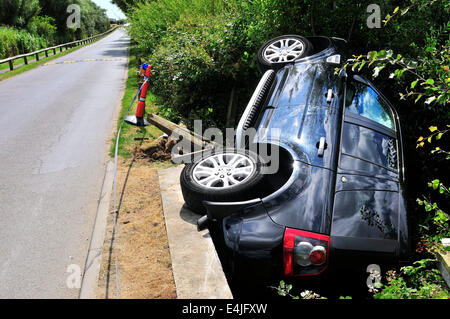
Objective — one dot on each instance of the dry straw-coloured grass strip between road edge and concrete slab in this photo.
(145, 270)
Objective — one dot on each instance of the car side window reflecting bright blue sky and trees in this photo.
(364, 101)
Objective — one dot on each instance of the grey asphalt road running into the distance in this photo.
(55, 124)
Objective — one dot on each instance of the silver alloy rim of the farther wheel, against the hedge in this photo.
(284, 50)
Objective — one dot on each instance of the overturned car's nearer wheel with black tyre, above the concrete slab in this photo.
(223, 176)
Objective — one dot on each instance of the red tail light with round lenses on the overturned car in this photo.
(304, 253)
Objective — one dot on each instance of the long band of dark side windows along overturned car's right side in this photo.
(367, 196)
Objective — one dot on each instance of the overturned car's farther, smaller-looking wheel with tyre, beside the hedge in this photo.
(282, 50)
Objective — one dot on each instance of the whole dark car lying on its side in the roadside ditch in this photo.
(337, 201)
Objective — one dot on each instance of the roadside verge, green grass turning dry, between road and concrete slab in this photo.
(144, 262)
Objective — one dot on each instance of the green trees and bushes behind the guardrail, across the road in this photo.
(34, 24)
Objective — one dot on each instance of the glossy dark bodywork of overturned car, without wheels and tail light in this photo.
(353, 193)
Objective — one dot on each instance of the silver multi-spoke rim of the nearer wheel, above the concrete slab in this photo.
(223, 170)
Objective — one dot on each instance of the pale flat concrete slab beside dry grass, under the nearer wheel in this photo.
(197, 270)
